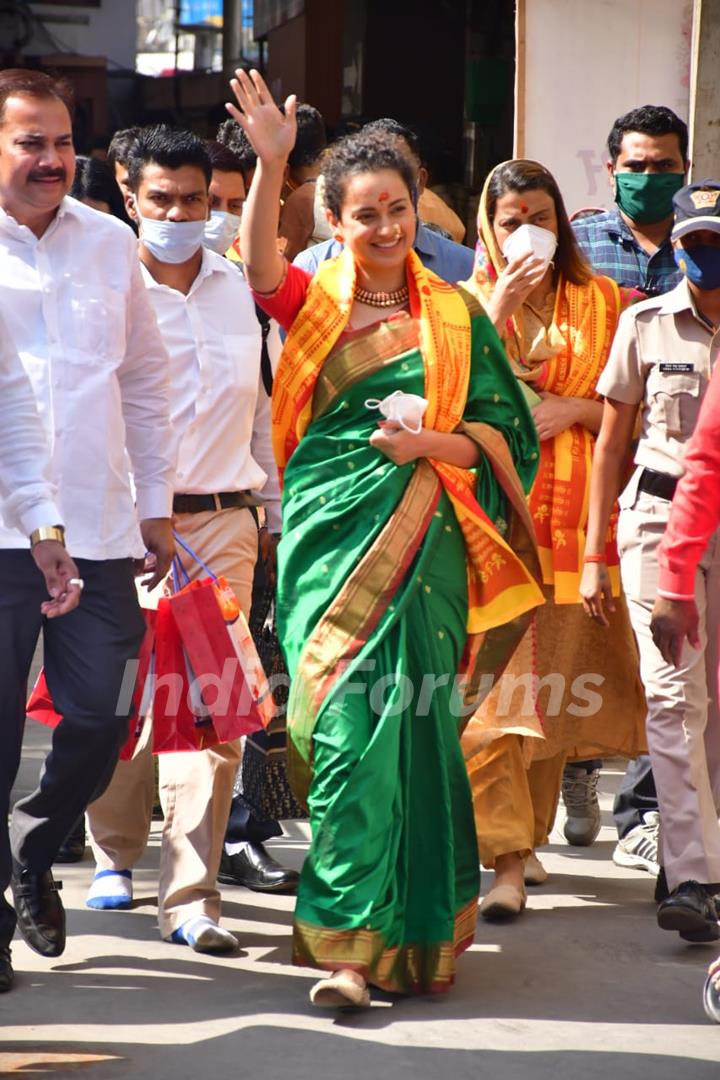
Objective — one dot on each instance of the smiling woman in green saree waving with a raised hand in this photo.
(404, 548)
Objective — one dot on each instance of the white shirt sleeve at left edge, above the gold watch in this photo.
(28, 494)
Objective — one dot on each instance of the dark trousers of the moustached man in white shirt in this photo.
(86, 658)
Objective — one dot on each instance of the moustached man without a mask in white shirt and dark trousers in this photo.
(76, 310)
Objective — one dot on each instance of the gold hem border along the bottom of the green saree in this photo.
(415, 968)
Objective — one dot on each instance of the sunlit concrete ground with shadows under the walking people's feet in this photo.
(583, 988)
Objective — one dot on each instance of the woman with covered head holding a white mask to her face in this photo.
(558, 322)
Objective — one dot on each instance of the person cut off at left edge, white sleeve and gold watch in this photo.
(29, 504)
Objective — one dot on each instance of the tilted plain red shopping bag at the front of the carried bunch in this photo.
(220, 682)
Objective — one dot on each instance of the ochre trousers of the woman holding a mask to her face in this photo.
(514, 805)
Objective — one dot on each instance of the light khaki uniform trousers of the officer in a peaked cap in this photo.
(684, 719)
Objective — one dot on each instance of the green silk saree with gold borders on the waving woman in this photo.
(373, 611)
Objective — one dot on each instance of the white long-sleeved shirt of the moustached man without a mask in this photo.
(78, 315)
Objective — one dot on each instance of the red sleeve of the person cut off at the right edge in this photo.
(696, 512)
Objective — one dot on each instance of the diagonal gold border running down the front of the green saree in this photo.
(348, 624)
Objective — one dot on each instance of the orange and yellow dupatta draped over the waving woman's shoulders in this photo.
(500, 587)
